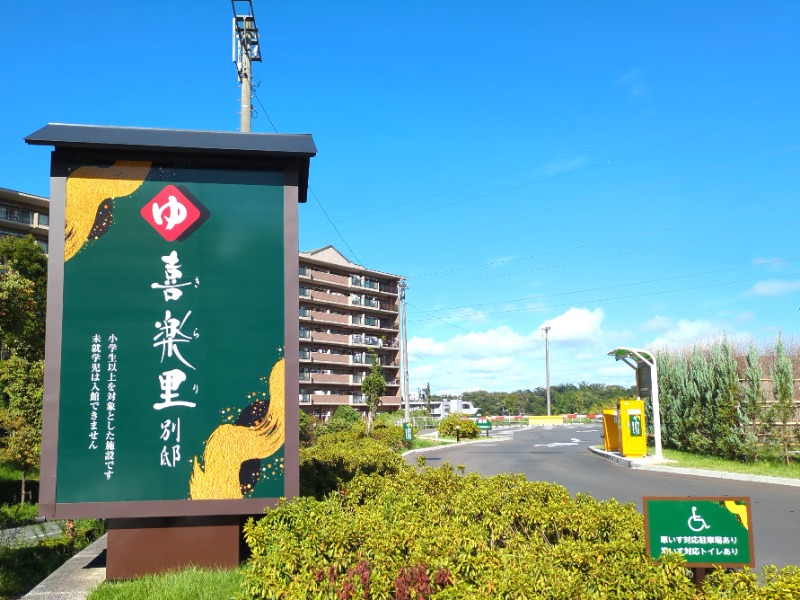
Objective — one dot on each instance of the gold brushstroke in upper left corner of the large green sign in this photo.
(90, 191)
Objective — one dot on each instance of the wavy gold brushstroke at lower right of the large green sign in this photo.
(231, 445)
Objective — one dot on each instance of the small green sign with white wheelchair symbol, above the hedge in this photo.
(707, 531)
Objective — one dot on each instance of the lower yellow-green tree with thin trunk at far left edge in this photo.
(21, 414)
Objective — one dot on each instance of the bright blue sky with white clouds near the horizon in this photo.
(625, 173)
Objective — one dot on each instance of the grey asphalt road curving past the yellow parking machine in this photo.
(561, 455)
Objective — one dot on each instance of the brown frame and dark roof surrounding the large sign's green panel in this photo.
(288, 154)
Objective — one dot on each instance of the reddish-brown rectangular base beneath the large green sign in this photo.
(142, 546)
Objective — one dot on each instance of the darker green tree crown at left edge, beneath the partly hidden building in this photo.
(23, 296)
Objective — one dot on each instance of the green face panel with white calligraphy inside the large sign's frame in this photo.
(172, 324)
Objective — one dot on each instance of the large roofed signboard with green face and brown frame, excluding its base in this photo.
(171, 359)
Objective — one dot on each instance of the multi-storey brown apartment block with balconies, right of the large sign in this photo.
(345, 310)
